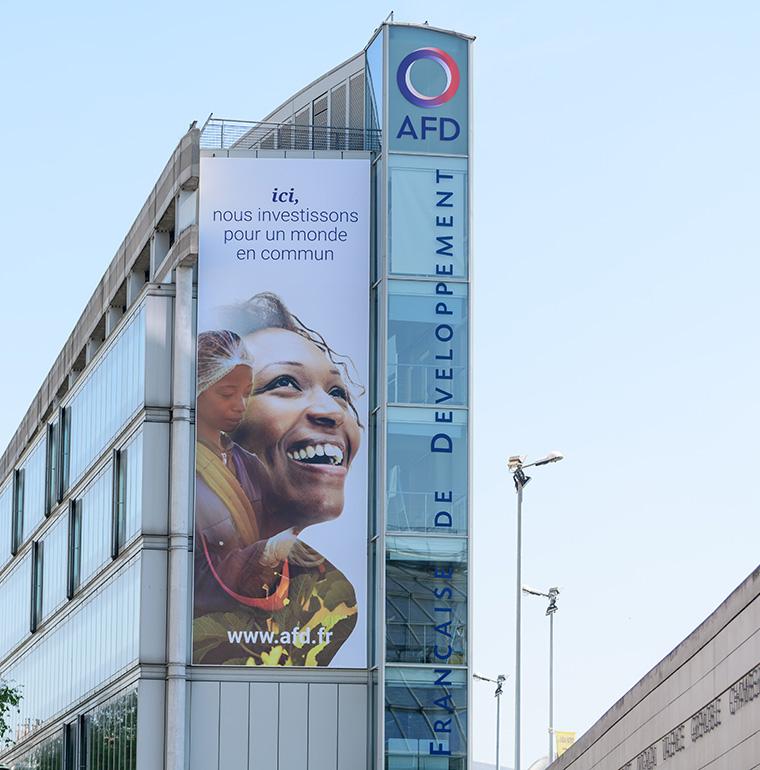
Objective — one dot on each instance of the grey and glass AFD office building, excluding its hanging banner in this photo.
(97, 539)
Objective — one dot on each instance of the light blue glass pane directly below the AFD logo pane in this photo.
(431, 191)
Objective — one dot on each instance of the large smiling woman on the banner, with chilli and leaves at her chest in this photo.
(302, 430)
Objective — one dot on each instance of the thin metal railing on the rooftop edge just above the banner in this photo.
(223, 134)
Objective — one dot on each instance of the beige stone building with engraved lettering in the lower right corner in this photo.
(698, 708)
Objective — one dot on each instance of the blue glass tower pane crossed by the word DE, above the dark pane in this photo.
(426, 473)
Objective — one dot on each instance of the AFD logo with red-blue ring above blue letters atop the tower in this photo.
(444, 128)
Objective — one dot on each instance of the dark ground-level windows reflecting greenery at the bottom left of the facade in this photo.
(102, 739)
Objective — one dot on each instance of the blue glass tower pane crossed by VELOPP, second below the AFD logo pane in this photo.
(427, 343)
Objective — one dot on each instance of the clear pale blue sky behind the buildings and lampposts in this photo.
(617, 191)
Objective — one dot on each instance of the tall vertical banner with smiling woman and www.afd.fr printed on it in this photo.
(280, 567)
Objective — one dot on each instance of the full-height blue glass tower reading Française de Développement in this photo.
(423, 404)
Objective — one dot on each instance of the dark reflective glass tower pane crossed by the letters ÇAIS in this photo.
(426, 600)
